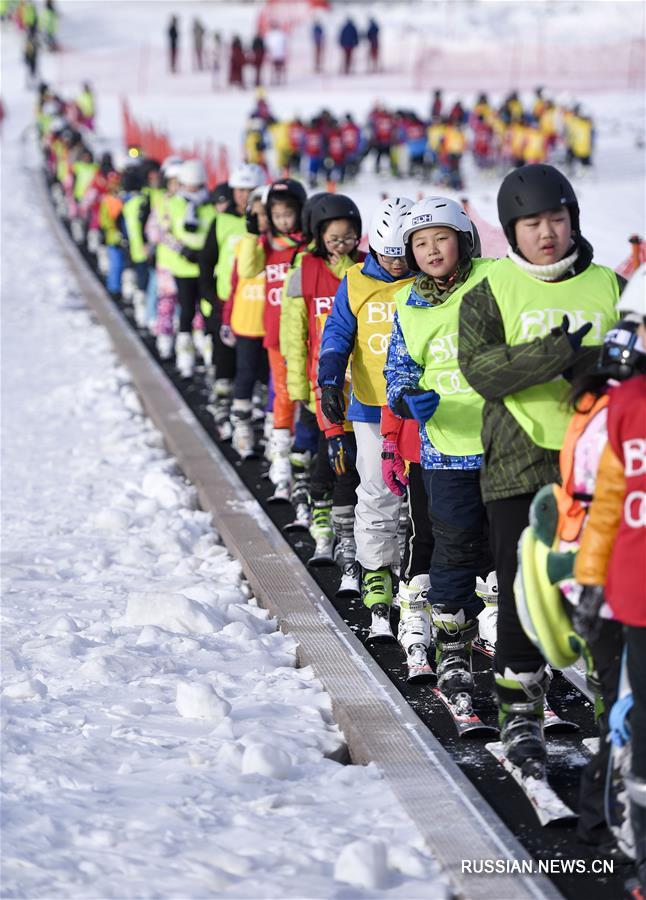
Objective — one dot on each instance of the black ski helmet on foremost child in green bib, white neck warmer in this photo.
(533, 189)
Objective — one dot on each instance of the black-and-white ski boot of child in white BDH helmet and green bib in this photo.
(454, 634)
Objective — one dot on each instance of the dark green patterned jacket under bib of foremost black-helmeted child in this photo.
(513, 464)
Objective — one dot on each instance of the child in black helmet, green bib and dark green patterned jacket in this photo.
(521, 328)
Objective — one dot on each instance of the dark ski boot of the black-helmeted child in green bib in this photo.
(521, 698)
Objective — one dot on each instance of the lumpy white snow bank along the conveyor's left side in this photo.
(159, 740)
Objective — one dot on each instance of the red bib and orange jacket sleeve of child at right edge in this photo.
(613, 546)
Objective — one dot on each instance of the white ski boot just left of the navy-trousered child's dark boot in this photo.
(414, 632)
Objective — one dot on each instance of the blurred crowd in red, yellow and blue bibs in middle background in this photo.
(329, 148)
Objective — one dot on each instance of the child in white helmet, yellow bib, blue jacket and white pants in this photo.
(359, 325)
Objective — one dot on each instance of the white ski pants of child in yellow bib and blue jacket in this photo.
(377, 511)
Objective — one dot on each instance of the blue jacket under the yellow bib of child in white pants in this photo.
(340, 337)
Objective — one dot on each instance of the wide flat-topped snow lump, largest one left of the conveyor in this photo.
(175, 612)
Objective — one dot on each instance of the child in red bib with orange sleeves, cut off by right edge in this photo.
(612, 554)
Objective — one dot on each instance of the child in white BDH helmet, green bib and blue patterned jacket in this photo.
(424, 383)
